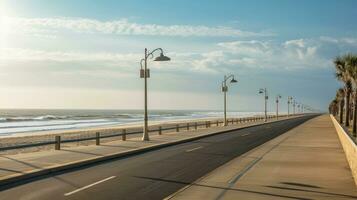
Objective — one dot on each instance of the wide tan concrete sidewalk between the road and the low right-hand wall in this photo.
(307, 162)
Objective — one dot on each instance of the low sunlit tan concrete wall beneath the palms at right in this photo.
(349, 147)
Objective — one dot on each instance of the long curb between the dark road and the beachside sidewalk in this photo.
(14, 179)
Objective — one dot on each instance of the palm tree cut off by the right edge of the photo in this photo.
(351, 61)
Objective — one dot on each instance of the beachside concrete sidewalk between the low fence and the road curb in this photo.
(22, 166)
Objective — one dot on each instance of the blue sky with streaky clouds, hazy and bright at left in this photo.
(85, 54)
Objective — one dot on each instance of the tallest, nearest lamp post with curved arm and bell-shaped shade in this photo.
(145, 74)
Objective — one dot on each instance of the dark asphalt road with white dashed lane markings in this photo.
(151, 175)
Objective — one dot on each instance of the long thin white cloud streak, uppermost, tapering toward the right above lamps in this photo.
(41, 26)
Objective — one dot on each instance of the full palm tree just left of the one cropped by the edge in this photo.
(342, 74)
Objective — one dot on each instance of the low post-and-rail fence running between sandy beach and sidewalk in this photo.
(123, 132)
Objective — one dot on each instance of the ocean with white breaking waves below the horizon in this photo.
(14, 121)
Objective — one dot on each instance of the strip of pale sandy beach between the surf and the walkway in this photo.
(49, 136)
